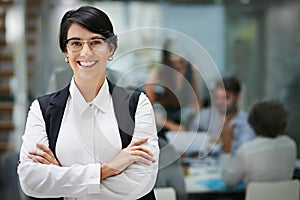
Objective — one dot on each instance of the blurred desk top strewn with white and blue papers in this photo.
(205, 182)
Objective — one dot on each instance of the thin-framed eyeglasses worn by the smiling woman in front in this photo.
(75, 44)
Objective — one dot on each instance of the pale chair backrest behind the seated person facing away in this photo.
(279, 190)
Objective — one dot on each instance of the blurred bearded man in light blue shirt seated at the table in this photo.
(225, 109)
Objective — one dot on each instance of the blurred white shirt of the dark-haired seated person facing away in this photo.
(261, 159)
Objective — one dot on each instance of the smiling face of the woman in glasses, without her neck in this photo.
(87, 64)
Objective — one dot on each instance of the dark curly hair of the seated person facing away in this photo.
(268, 118)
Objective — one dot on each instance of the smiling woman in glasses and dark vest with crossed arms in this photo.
(86, 154)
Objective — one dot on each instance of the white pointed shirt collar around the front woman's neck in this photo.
(100, 101)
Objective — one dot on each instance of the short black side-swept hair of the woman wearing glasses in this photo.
(92, 19)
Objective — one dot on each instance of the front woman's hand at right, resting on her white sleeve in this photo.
(133, 153)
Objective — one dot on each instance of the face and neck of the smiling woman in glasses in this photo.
(87, 63)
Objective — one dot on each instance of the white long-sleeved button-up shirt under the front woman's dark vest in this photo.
(88, 137)
